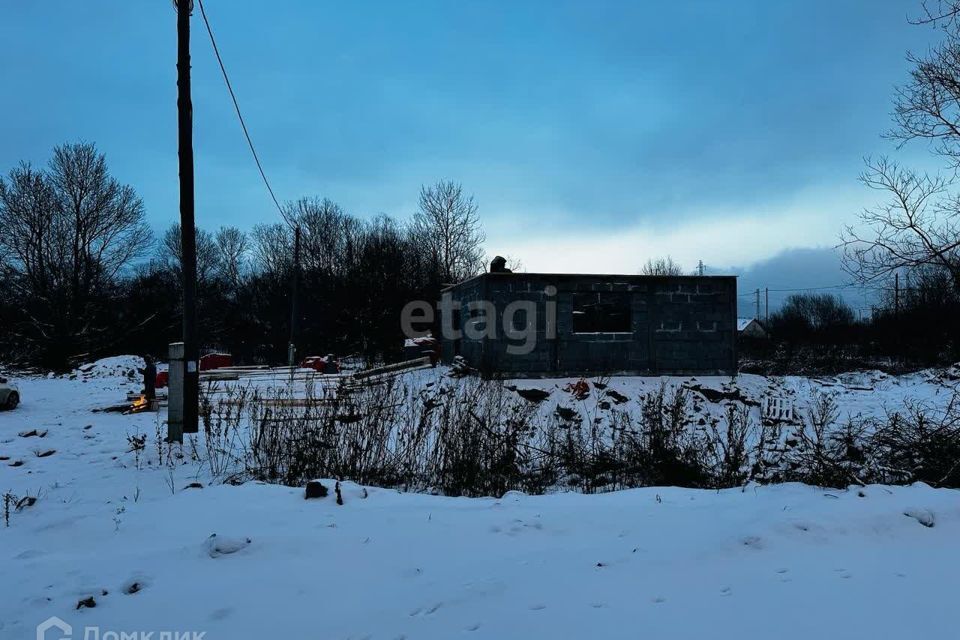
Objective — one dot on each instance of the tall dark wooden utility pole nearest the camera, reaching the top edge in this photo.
(188, 234)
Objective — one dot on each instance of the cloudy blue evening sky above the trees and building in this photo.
(593, 134)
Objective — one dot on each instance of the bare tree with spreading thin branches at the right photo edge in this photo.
(917, 226)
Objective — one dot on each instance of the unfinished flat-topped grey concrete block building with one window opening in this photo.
(543, 324)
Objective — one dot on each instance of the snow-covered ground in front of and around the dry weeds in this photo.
(786, 561)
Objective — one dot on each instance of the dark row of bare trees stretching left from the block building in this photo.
(84, 275)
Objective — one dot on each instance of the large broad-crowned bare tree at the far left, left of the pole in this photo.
(68, 233)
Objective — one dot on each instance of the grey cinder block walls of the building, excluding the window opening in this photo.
(679, 325)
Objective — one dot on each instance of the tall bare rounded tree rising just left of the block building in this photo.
(448, 229)
